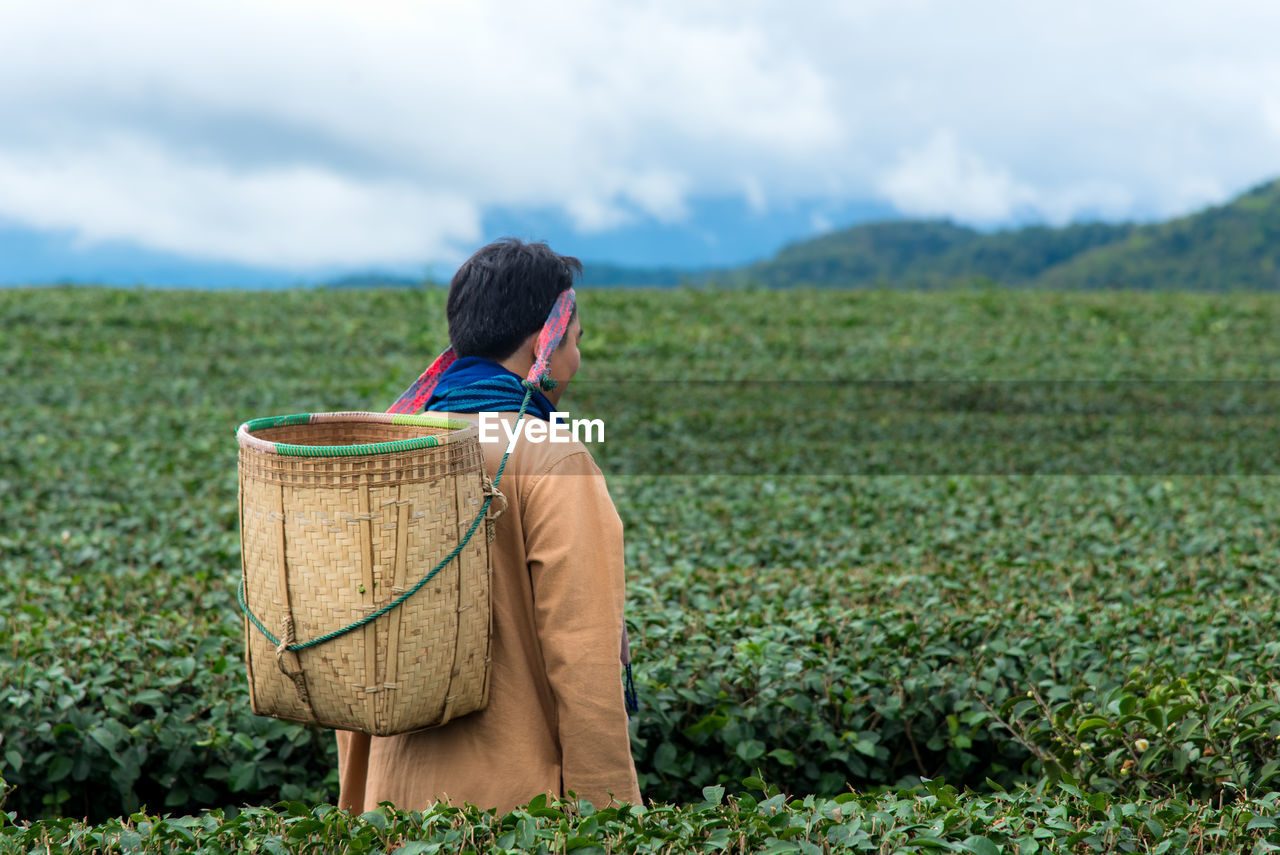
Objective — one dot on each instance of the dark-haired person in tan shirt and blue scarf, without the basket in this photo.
(556, 721)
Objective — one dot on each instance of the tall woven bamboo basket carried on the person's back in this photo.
(356, 618)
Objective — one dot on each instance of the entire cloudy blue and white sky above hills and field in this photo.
(236, 138)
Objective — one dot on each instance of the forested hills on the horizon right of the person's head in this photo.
(1228, 248)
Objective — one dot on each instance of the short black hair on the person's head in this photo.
(504, 294)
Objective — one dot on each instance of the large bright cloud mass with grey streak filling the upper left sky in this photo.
(417, 116)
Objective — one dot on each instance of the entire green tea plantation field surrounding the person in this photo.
(998, 610)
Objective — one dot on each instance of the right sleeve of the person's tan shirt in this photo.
(574, 547)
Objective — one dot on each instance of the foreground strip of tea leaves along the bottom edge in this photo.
(935, 817)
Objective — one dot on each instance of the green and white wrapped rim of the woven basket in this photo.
(458, 431)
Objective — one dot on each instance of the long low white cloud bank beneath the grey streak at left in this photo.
(290, 217)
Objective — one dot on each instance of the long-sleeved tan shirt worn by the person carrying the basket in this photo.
(556, 719)
